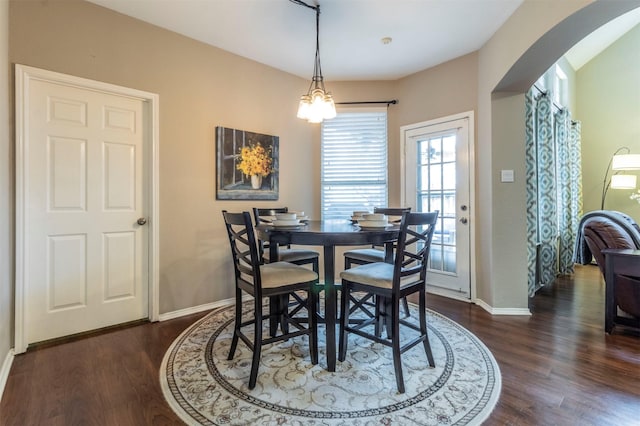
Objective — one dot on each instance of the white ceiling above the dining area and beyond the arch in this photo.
(281, 34)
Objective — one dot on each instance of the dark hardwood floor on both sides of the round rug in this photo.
(558, 367)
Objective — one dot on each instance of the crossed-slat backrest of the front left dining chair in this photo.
(244, 250)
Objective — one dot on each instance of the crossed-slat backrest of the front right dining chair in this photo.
(413, 246)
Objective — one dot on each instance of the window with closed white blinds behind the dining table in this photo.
(354, 163)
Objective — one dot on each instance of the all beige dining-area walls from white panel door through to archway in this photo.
(201, 87)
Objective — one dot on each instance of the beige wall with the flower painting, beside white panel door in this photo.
(200, 87)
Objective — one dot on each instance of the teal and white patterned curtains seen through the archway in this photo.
(554, 191)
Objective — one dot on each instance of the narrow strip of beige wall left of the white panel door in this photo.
(6, 195)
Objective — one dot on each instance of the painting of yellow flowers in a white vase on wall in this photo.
(247, 165)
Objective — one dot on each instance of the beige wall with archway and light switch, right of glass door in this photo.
(533, 38)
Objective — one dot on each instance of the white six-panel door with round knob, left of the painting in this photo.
(87, 256)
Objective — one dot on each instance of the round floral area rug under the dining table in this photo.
(204, 388)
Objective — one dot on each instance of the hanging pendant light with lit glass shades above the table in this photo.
(317, 105)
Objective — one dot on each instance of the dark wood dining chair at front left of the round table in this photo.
(276, 281)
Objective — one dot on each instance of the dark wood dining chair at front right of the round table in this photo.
(391, 282)
